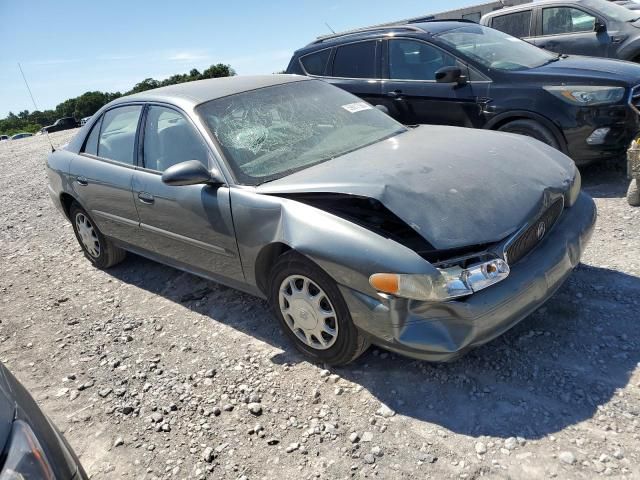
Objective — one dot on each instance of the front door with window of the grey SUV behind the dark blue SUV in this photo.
(571, 30)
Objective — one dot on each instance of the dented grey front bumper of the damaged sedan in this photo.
(446, 330)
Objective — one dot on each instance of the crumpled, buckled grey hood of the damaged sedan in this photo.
(456, 187)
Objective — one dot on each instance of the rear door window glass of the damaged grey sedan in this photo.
(118, 134)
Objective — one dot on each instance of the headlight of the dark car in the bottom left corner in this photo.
(25, 458)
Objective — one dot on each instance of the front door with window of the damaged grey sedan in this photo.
(188, 225)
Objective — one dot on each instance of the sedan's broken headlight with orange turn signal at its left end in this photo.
(451, 282)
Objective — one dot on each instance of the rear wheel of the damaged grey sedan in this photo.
(96, 247)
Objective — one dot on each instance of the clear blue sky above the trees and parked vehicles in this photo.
(68, 47)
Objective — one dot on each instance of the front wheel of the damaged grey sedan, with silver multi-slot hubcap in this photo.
(312, 312)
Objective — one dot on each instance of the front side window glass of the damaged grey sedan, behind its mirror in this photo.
(170, 139)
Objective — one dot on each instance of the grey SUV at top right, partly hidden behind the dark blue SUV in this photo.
(595, 28)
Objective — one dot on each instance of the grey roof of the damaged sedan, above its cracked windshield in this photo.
(191, 94)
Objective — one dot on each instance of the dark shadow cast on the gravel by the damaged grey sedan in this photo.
(551, 371)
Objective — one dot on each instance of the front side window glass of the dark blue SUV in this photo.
(412, 60)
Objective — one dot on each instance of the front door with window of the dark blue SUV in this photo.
(412, 94)
